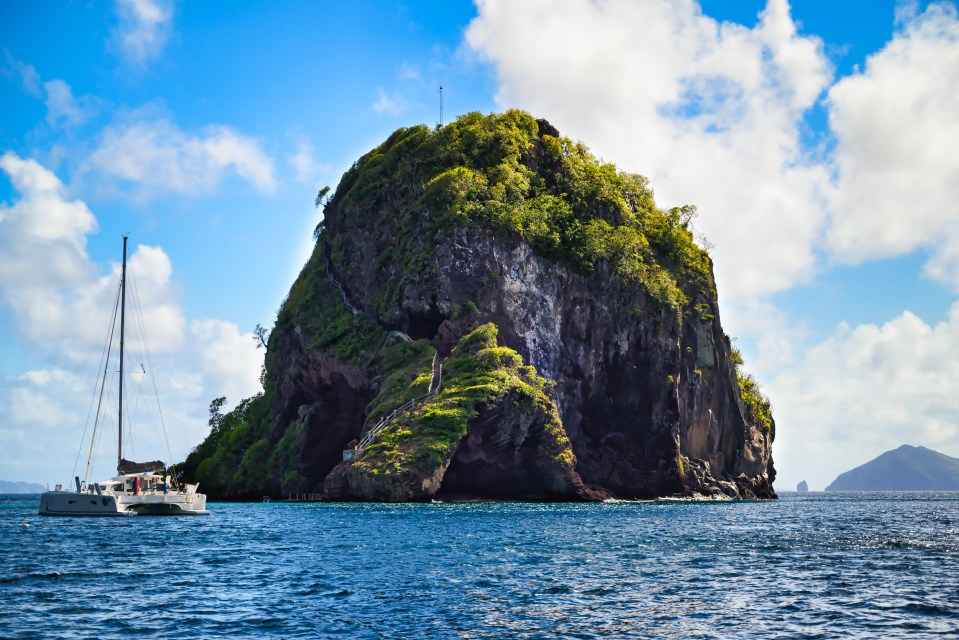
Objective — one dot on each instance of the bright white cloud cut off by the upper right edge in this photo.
(897, 133)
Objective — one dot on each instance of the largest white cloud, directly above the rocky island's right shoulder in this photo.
(710, 111)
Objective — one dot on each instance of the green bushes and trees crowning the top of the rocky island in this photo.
(515, 176)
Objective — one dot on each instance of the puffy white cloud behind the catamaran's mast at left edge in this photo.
(48, 280)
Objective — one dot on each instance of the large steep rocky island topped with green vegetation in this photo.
(490, 312)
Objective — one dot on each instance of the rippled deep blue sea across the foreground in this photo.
(882, 565)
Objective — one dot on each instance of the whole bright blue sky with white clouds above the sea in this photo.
(816, 139)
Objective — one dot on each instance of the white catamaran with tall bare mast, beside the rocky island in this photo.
(138, 488)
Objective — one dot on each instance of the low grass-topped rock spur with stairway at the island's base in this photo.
(490, 430)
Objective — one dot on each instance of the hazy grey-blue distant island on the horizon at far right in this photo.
(904, 469)
